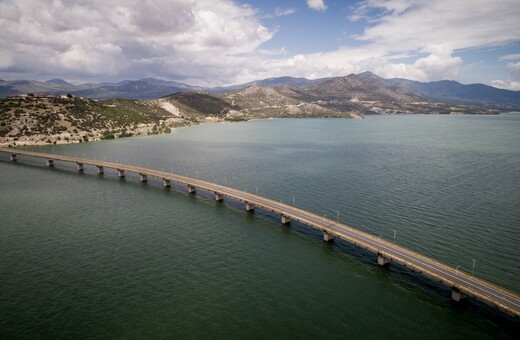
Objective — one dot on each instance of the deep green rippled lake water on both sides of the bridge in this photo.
(90, 256)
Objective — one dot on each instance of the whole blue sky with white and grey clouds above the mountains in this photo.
(225, 42)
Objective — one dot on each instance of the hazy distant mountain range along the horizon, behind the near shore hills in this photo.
(339, 92)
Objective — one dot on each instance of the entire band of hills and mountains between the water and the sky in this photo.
(44, 119)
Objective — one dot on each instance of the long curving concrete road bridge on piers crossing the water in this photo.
(462, 284)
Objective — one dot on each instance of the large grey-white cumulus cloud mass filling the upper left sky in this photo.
(131, 38)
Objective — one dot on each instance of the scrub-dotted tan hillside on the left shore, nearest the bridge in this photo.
(68, 120)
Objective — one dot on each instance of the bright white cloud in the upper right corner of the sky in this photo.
(411, 24)
